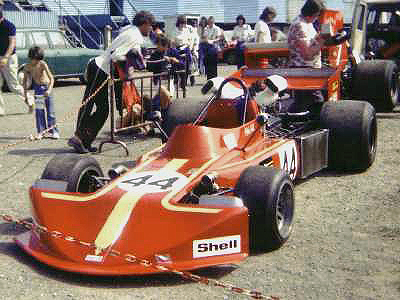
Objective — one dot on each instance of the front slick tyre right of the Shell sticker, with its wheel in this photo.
(268, 195)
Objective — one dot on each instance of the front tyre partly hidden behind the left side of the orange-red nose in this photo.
(77, 170)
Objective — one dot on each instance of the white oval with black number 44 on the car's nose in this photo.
(153, 181)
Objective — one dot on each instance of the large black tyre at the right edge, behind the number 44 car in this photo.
(377, 81)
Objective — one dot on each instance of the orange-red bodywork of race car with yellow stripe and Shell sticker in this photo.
(142, 212)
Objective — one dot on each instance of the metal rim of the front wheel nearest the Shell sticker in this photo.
(284, 210)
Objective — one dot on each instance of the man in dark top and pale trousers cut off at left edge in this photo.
(9, 60)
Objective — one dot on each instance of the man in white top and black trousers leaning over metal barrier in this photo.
(125, 50)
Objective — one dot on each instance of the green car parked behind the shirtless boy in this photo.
(64, 59)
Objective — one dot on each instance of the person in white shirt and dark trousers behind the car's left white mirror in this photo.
(213, 35)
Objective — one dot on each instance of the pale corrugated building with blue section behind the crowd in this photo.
(85, 20)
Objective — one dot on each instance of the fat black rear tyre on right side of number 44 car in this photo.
(352, 134)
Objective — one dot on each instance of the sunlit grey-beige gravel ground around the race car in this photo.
(345, 243)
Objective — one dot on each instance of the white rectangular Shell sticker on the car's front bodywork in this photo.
(216, 246)
